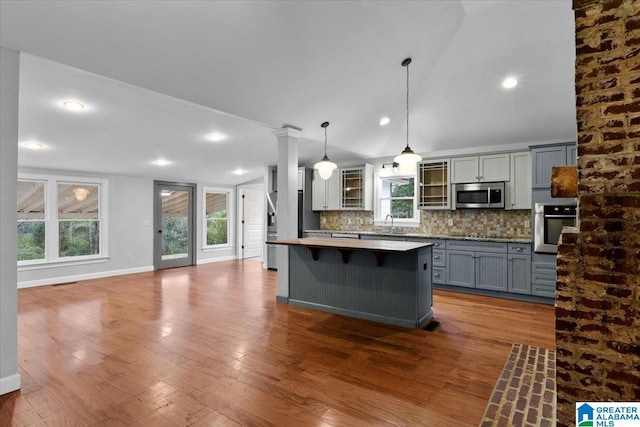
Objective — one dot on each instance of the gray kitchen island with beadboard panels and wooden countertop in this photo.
(383, 281)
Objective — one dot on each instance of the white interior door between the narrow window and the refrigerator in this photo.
(252, 211)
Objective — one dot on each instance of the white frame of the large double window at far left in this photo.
(52, 238)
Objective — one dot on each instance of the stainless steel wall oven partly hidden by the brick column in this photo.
(548, 222)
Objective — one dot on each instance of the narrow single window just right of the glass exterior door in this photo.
(216, 217)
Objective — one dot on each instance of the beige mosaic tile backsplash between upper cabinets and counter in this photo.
(480, 222)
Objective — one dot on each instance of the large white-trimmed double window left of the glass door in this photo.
(60, 219)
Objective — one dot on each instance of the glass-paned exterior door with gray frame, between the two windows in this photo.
(174, 221)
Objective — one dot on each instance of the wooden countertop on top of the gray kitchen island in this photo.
(372, 245)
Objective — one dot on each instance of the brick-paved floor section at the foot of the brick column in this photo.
(525, 394)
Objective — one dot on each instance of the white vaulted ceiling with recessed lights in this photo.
(157, 77)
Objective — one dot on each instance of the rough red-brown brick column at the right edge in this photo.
(598, 292)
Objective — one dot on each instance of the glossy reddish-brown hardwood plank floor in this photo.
(209, 346)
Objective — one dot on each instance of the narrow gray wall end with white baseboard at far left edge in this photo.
(9, 78)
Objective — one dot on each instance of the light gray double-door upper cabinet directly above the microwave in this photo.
(486, 168)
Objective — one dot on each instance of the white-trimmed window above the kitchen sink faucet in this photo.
(396, 196)
